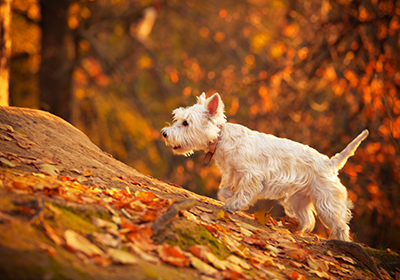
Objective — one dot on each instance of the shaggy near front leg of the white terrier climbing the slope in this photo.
(245, 195)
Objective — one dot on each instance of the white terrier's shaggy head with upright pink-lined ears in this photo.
(195, 127)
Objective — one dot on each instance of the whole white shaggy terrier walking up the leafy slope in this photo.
(255, 165)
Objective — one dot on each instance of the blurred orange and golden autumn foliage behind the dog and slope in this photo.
(317, 72)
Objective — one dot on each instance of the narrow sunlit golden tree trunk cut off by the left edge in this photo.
(5, 50)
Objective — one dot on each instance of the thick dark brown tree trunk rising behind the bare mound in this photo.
(58, 54)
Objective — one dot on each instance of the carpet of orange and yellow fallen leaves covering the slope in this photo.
(126, 237)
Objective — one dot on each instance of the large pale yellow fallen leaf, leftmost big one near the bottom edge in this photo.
(76, 242)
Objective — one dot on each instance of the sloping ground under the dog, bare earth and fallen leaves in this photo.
(70, 211)
